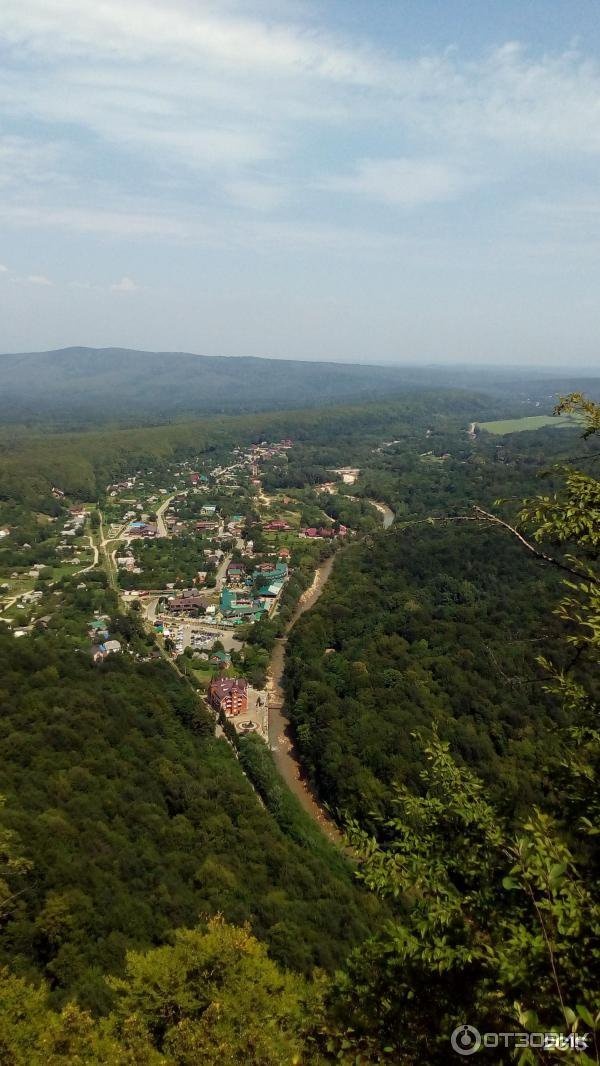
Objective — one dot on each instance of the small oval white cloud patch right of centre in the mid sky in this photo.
(402, 183)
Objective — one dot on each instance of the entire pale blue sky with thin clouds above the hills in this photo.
(359, 181)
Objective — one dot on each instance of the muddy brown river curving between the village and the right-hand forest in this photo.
(280, 731)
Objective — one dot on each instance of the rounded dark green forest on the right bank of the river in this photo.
(425, 626)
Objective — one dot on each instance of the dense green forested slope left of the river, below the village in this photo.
(135, 820)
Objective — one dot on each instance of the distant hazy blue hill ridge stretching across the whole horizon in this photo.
(80, 385)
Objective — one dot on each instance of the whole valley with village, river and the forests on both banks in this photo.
(271, 634)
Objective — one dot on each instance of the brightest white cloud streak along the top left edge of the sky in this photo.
(182, 31)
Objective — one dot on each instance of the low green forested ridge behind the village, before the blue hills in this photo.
(83, 464)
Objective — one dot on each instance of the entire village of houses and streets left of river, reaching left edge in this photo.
(201, 553)
